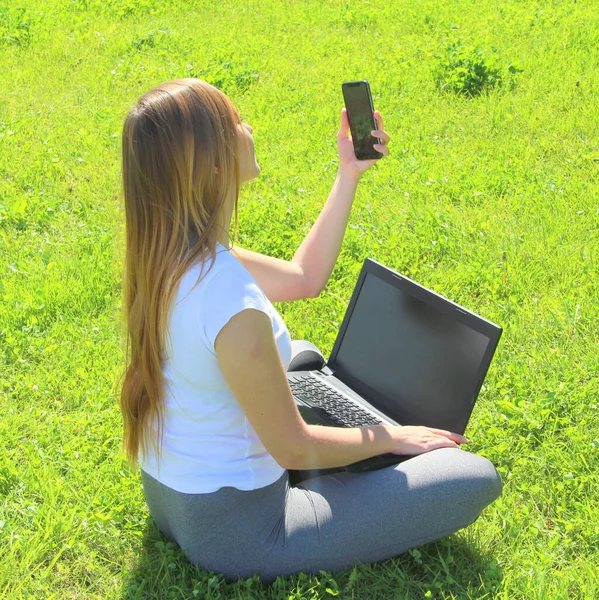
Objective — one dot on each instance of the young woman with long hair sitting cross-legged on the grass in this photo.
(207, 409)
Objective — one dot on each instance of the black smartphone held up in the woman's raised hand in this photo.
(360, 113)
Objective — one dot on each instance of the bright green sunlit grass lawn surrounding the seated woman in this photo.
(492, 200)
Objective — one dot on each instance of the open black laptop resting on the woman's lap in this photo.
(404, 355)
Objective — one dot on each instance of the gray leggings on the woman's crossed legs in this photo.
(326, 522)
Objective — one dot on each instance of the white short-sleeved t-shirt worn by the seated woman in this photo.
(208, 443)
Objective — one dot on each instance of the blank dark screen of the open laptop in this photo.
(422, 364)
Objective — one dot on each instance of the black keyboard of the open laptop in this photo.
(336, 406)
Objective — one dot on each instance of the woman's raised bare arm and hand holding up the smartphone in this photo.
(311, 266)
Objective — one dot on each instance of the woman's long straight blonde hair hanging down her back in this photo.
(180, 164)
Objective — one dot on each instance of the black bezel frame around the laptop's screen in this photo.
(440, 303)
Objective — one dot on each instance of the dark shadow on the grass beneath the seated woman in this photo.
(453, 567)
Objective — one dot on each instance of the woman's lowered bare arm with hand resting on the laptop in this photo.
(252, 367)
